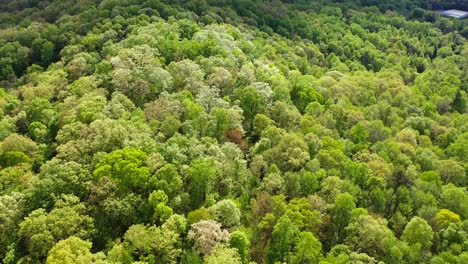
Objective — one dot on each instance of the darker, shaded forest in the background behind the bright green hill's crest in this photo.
(34, 32)
